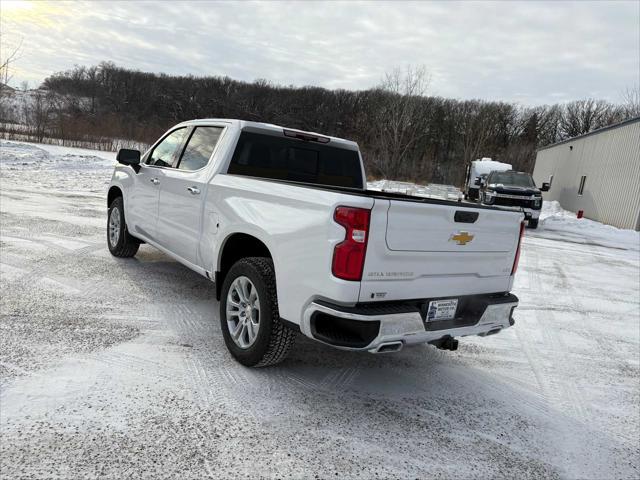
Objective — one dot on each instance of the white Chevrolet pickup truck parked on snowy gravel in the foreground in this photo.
(282, 222)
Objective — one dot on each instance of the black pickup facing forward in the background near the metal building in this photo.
(515, 190)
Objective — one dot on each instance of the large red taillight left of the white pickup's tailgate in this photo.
(348, 256)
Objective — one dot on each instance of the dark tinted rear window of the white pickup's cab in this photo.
(283, 158)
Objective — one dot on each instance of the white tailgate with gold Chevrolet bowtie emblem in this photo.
(420, 250)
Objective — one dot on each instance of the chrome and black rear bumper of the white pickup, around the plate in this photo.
(373, 326)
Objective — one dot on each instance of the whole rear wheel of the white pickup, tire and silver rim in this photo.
(249, 316)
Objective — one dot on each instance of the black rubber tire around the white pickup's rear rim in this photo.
(274, 339)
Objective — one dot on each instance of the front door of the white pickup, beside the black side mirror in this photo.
(142, 209)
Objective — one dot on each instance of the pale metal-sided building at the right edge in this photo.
(598, 172)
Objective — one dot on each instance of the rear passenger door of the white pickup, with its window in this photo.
(182, 194)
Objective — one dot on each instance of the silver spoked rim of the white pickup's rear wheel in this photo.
(243, 312)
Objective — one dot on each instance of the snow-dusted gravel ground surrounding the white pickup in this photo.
(117, 368)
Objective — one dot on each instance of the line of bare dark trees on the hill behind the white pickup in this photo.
(404, 132)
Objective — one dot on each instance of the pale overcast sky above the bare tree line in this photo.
(529, 52)
